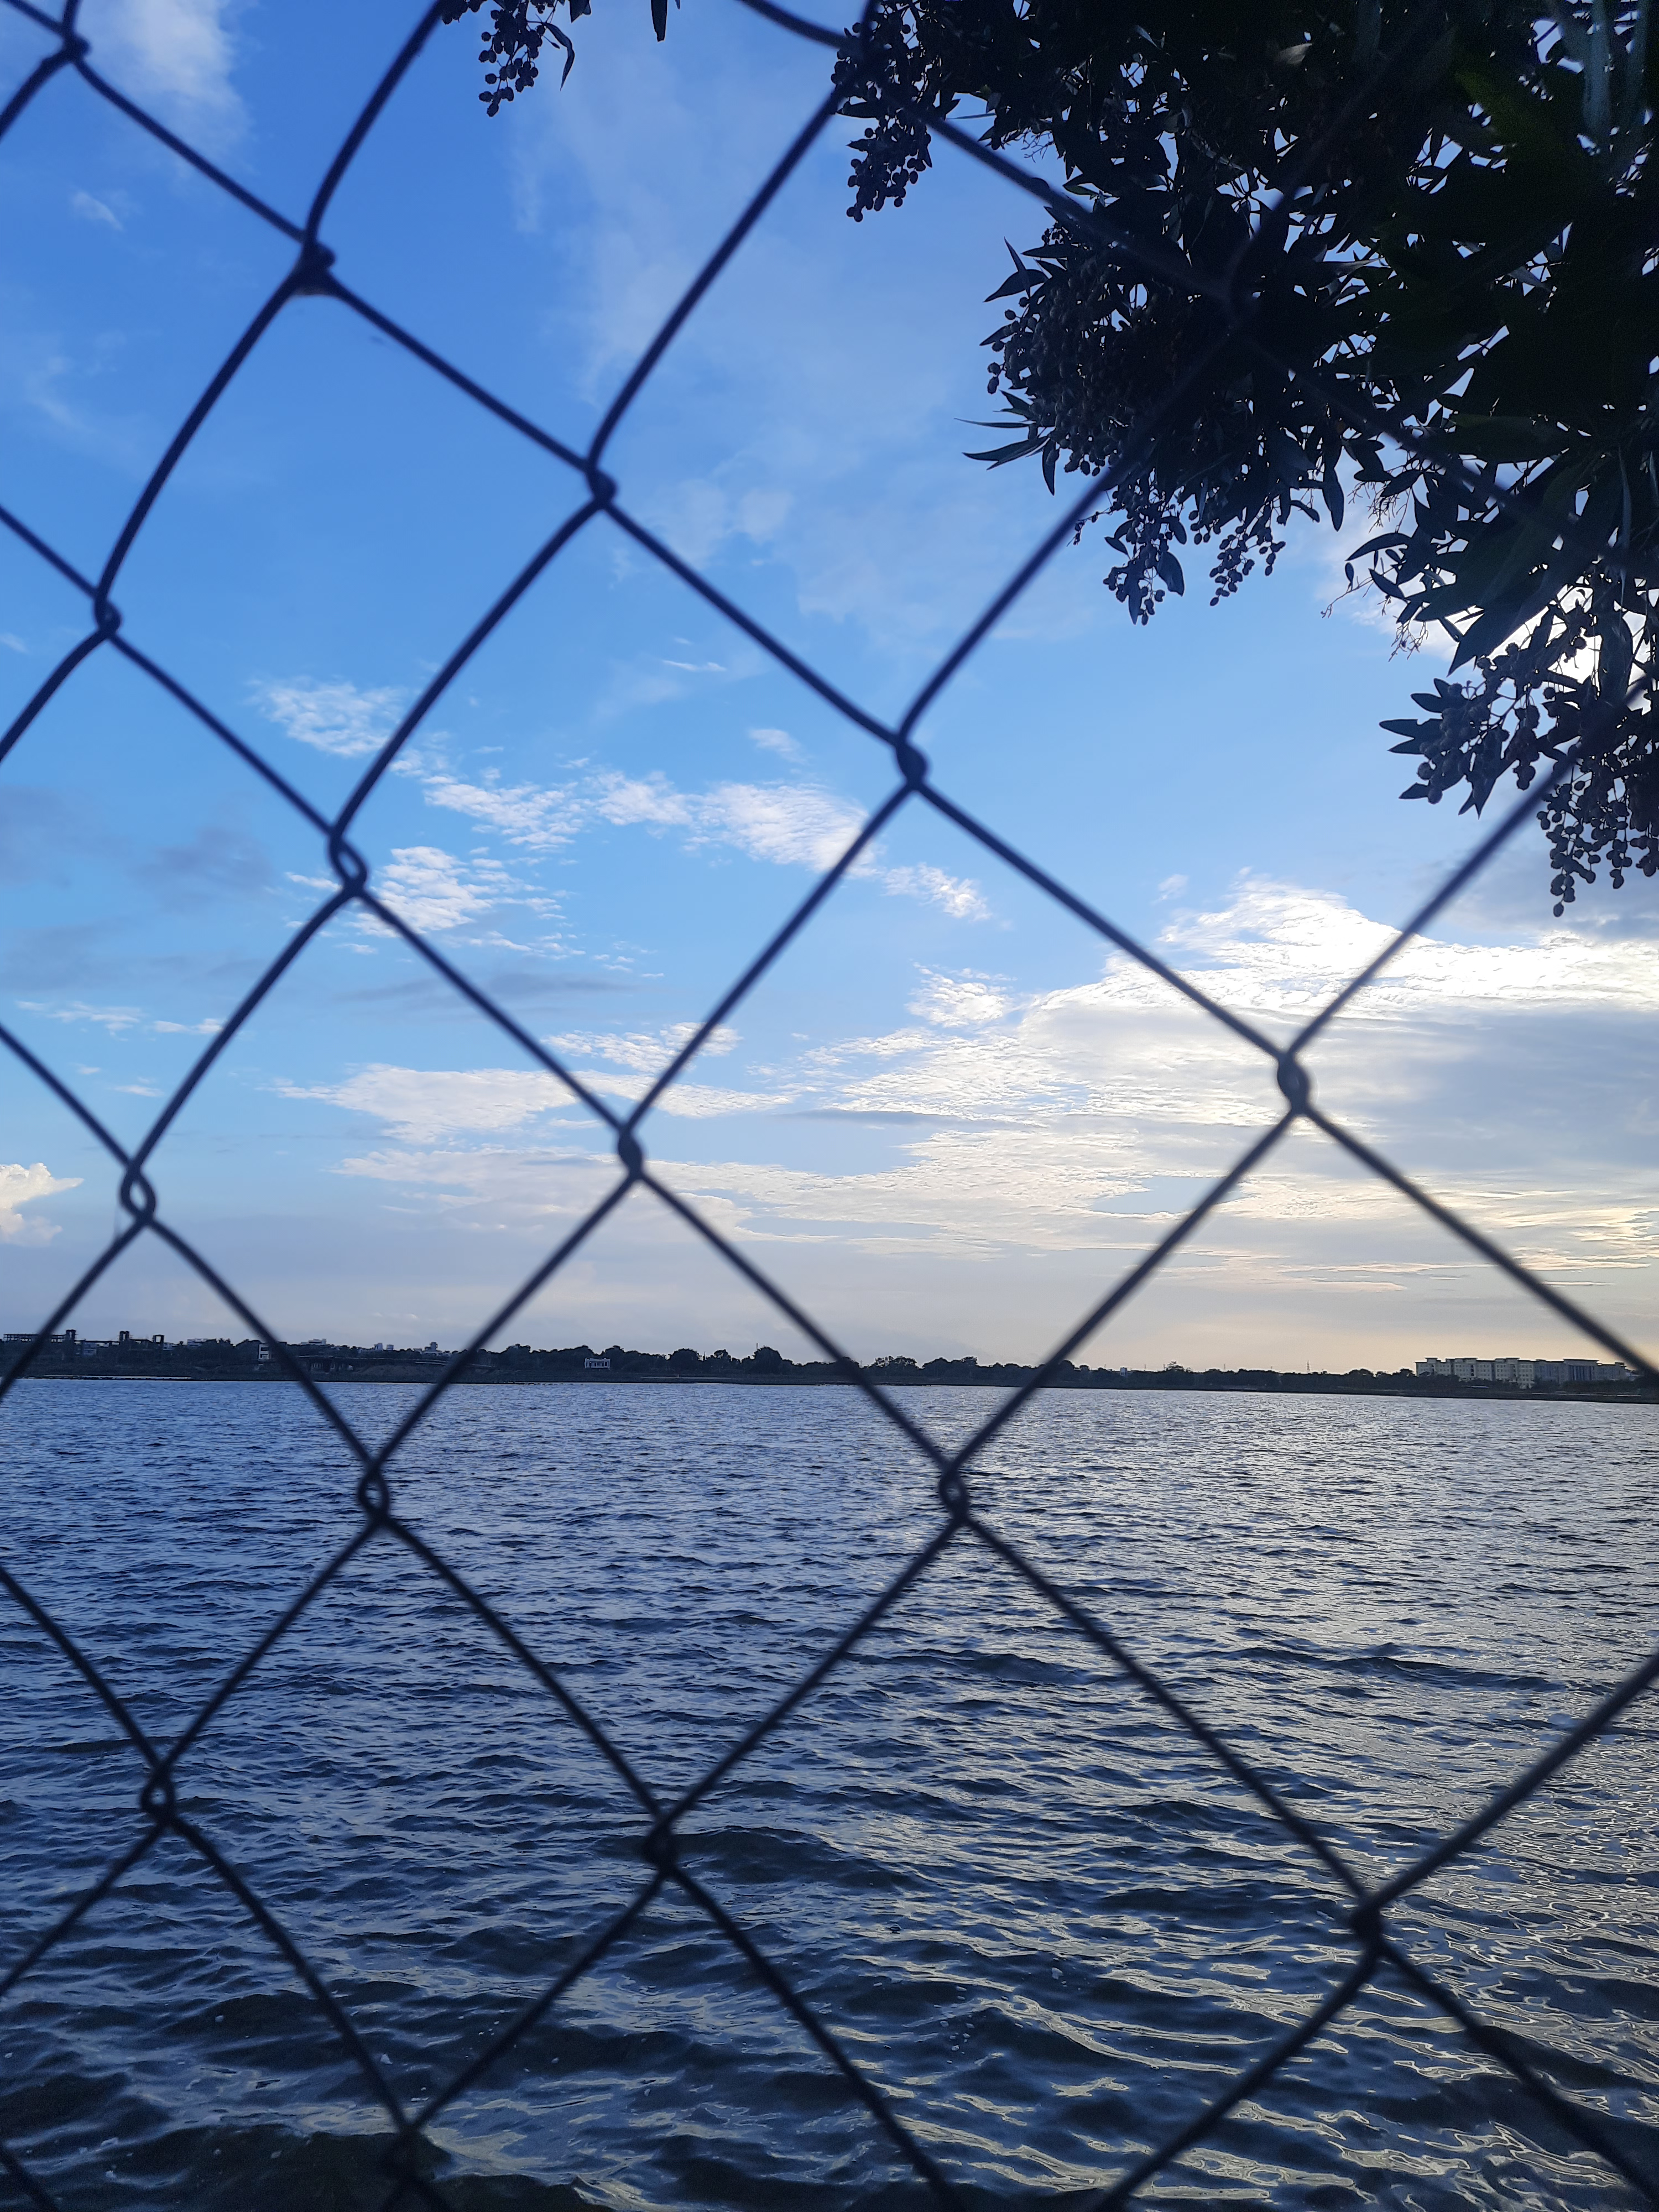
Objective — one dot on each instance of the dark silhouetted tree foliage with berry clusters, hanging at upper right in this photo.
(1333, 249)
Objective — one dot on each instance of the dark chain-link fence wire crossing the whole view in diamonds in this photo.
(1370, 1930)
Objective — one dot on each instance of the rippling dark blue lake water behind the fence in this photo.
(1034, 1910)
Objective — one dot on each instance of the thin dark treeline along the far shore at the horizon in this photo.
(222, 1361)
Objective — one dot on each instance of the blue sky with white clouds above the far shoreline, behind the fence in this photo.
(952, 1116)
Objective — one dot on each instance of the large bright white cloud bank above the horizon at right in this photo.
(1032, 1149)
